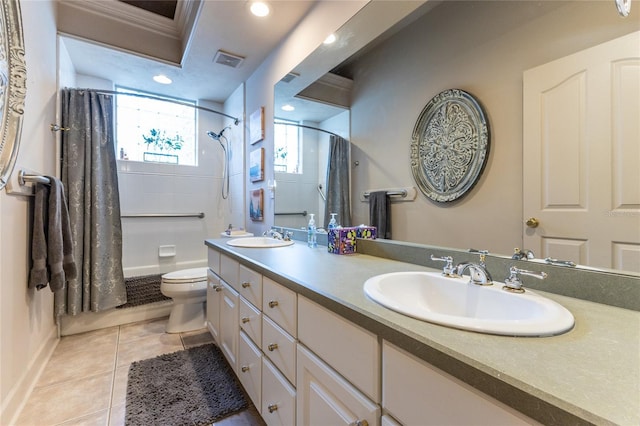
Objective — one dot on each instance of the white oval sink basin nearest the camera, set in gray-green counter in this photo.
(454, 302)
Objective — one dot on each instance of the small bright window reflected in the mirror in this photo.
(286, 147)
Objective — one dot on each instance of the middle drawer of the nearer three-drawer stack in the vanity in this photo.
(280, 347)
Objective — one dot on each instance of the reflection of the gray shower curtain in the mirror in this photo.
(338, 198)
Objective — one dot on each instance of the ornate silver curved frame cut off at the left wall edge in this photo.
(13, 77)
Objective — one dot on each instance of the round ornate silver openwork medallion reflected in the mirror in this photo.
(449, 145)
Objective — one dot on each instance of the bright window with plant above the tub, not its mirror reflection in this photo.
(155, 130)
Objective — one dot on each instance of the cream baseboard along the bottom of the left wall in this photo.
(16, 399)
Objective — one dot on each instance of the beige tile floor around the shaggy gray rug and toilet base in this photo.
(85, 380)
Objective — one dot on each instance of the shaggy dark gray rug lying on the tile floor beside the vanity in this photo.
(195, 386)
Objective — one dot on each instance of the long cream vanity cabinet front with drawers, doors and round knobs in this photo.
(303, 364)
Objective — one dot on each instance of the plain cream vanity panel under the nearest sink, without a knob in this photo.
(415, 392)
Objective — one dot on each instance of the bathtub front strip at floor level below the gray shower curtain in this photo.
(90, 321)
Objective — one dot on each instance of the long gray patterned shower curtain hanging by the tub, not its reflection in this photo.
(89, 175)
